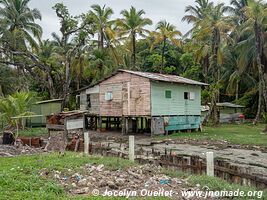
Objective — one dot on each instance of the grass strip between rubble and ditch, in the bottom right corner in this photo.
(213, 183)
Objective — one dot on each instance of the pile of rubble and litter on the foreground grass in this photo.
(136, 178)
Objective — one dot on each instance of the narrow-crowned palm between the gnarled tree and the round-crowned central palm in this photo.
(101, 16)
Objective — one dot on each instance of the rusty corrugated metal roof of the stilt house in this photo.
(165, 77)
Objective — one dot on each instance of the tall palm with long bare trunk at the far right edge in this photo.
(256, 14)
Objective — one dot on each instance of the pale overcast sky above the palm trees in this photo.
(170, 10)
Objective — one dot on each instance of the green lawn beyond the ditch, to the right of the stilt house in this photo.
(244, 134)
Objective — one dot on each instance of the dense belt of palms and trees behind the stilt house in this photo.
(226, 48)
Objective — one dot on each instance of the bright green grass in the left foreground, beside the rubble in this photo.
(19, 176)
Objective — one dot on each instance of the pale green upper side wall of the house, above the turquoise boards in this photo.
(176, 105)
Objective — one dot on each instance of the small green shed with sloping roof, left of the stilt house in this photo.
(44, 108)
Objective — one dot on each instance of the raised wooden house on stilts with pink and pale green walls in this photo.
(137, 101)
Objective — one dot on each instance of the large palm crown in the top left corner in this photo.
(20, 21)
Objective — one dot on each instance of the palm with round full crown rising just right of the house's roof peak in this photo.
(132, 24)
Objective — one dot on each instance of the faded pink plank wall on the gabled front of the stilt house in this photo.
(131, 96)
